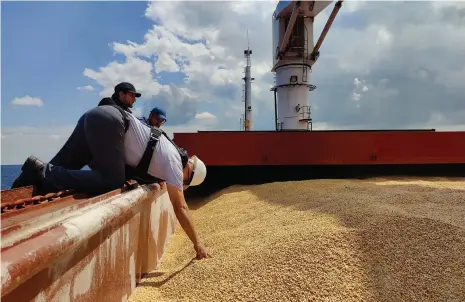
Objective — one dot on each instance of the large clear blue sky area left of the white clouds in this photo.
(47, 45)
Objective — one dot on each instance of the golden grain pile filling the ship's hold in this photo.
(321, 240)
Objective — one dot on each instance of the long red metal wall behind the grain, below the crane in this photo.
(324, 148)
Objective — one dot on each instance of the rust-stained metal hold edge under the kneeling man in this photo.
(98, 253)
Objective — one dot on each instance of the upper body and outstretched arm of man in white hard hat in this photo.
(150, 152)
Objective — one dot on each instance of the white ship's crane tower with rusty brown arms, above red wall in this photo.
(293, 56)
